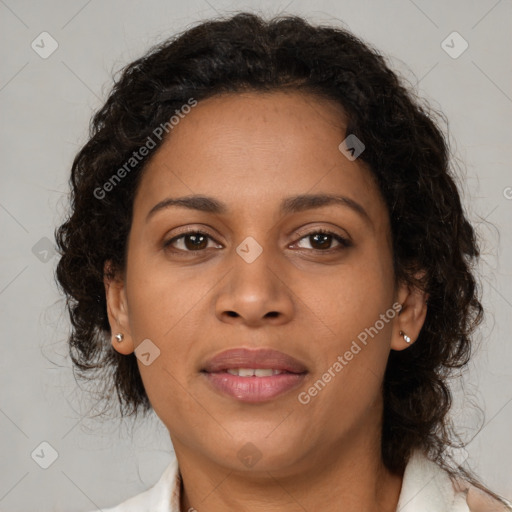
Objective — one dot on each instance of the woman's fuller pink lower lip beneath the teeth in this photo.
(254, 389)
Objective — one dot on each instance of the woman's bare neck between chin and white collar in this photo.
(349, 476)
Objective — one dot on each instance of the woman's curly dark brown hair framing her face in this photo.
(406, 151)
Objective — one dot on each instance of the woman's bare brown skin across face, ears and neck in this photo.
(250, 151)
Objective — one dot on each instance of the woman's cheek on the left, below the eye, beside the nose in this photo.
(161, 303)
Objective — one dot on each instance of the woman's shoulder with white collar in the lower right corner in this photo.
(427, 487)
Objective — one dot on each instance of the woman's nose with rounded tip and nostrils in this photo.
(255, 293)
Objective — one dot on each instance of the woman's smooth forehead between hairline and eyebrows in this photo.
(253, 149)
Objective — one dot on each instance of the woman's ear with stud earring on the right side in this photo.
(411, 317)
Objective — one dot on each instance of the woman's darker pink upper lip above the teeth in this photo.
(253, 358)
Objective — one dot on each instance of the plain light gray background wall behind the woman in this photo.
(46, 105)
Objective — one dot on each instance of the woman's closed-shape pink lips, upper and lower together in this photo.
(254, 389)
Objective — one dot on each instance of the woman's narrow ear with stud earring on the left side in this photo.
(117, 310)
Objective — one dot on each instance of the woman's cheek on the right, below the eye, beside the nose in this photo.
(350, 315)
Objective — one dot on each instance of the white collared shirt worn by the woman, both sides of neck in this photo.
(426, 487)
